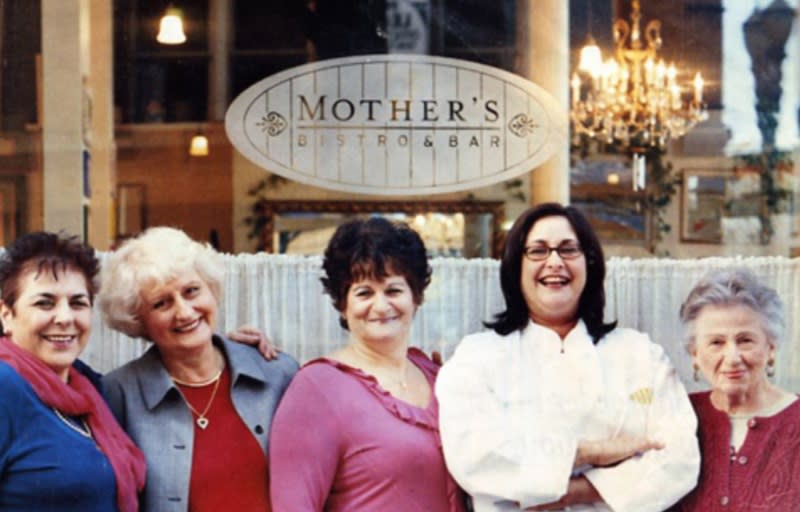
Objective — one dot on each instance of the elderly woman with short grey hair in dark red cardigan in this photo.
(749, 428)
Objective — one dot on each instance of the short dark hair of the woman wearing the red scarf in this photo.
(45, 252)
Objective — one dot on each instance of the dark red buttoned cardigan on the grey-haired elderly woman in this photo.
(763, 475)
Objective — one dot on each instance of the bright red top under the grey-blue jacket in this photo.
(229, 470)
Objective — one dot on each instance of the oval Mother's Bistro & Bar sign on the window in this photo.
(396, 124)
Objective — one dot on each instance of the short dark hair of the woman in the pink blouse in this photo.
(371, 248)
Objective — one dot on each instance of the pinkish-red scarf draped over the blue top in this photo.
(80, 398)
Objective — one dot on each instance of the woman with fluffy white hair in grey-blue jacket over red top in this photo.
(197, 405)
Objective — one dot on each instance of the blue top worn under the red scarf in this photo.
(44, 464)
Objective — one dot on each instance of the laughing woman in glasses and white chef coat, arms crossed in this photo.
(553, 408)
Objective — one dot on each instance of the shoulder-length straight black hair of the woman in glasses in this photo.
(593, 298)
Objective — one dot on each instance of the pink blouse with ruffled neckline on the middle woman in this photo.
(340, 442)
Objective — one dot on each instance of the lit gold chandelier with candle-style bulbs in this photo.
(632, 99)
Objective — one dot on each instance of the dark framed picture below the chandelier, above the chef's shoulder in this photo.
(602, 188)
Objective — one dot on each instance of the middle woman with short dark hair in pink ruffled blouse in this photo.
(357, 430)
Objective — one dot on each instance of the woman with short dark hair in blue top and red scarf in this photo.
(60, 447)
